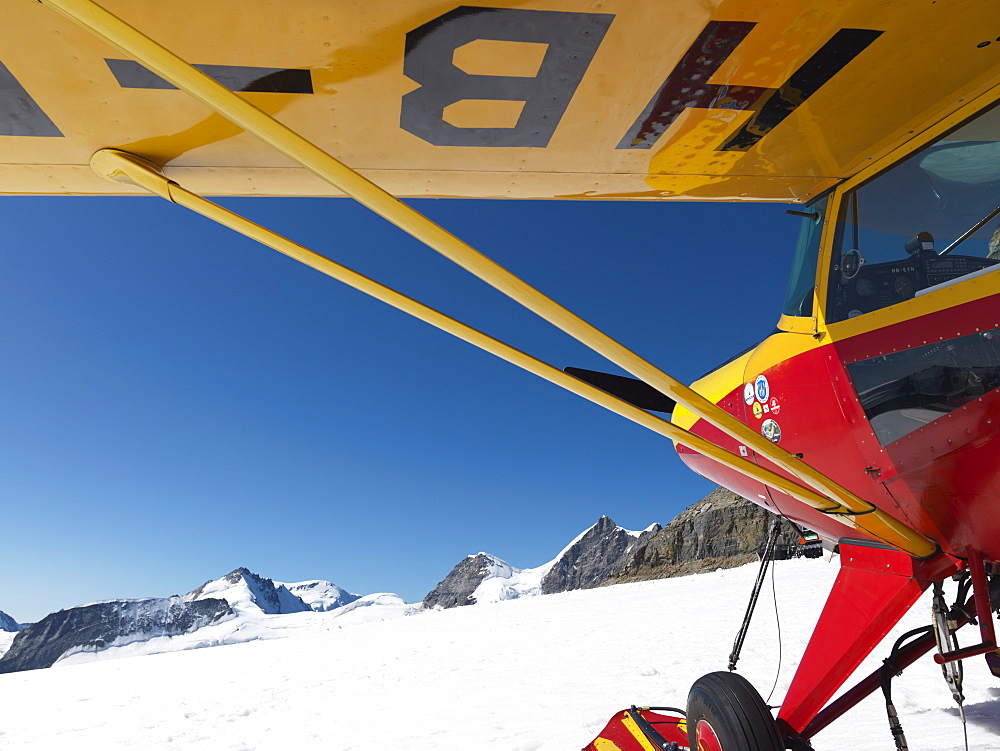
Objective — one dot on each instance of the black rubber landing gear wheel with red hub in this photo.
(725, 713)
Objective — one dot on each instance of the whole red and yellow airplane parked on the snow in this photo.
(871, 415)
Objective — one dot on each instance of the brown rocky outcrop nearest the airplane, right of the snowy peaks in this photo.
(721, 530)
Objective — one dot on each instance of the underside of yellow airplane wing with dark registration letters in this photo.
(644, 99)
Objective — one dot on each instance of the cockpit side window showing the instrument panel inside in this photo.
(930, 221)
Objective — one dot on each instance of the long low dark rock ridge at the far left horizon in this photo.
(105, 623)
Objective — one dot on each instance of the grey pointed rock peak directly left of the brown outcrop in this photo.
(591, 559)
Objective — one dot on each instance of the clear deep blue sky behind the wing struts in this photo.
(179, 401)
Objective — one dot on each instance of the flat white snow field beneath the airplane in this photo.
(532, 674)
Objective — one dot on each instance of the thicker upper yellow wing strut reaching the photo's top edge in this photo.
(216, 96)
